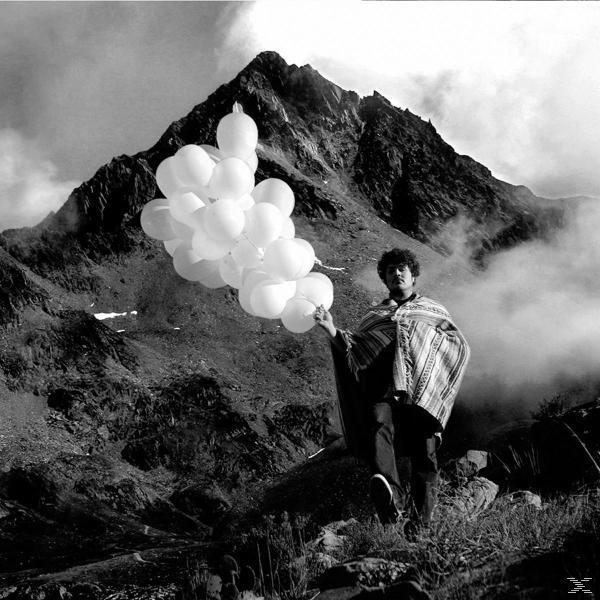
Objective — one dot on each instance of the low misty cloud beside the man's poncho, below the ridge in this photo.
(532, 316)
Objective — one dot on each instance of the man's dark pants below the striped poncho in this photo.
(406, 430)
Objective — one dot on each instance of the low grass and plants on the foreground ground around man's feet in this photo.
(457, 558)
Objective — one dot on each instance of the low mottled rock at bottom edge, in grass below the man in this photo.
(366, 571)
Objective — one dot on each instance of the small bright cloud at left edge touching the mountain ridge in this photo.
(29, 187)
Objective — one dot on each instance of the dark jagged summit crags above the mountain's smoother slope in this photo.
(329, 144)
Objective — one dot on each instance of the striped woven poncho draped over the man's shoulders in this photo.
(428, 363)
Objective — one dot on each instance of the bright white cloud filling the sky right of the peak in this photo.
(514, 85)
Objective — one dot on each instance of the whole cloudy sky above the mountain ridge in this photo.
(515, 85)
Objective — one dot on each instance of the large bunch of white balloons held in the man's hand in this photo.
(221, 229)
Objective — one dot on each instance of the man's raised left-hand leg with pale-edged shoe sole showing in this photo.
(385, 482)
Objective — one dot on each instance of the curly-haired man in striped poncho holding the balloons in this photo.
(397, 377)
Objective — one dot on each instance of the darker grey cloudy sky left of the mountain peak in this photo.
(94, 80)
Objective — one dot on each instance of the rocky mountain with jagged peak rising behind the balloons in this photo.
(194, 402)
